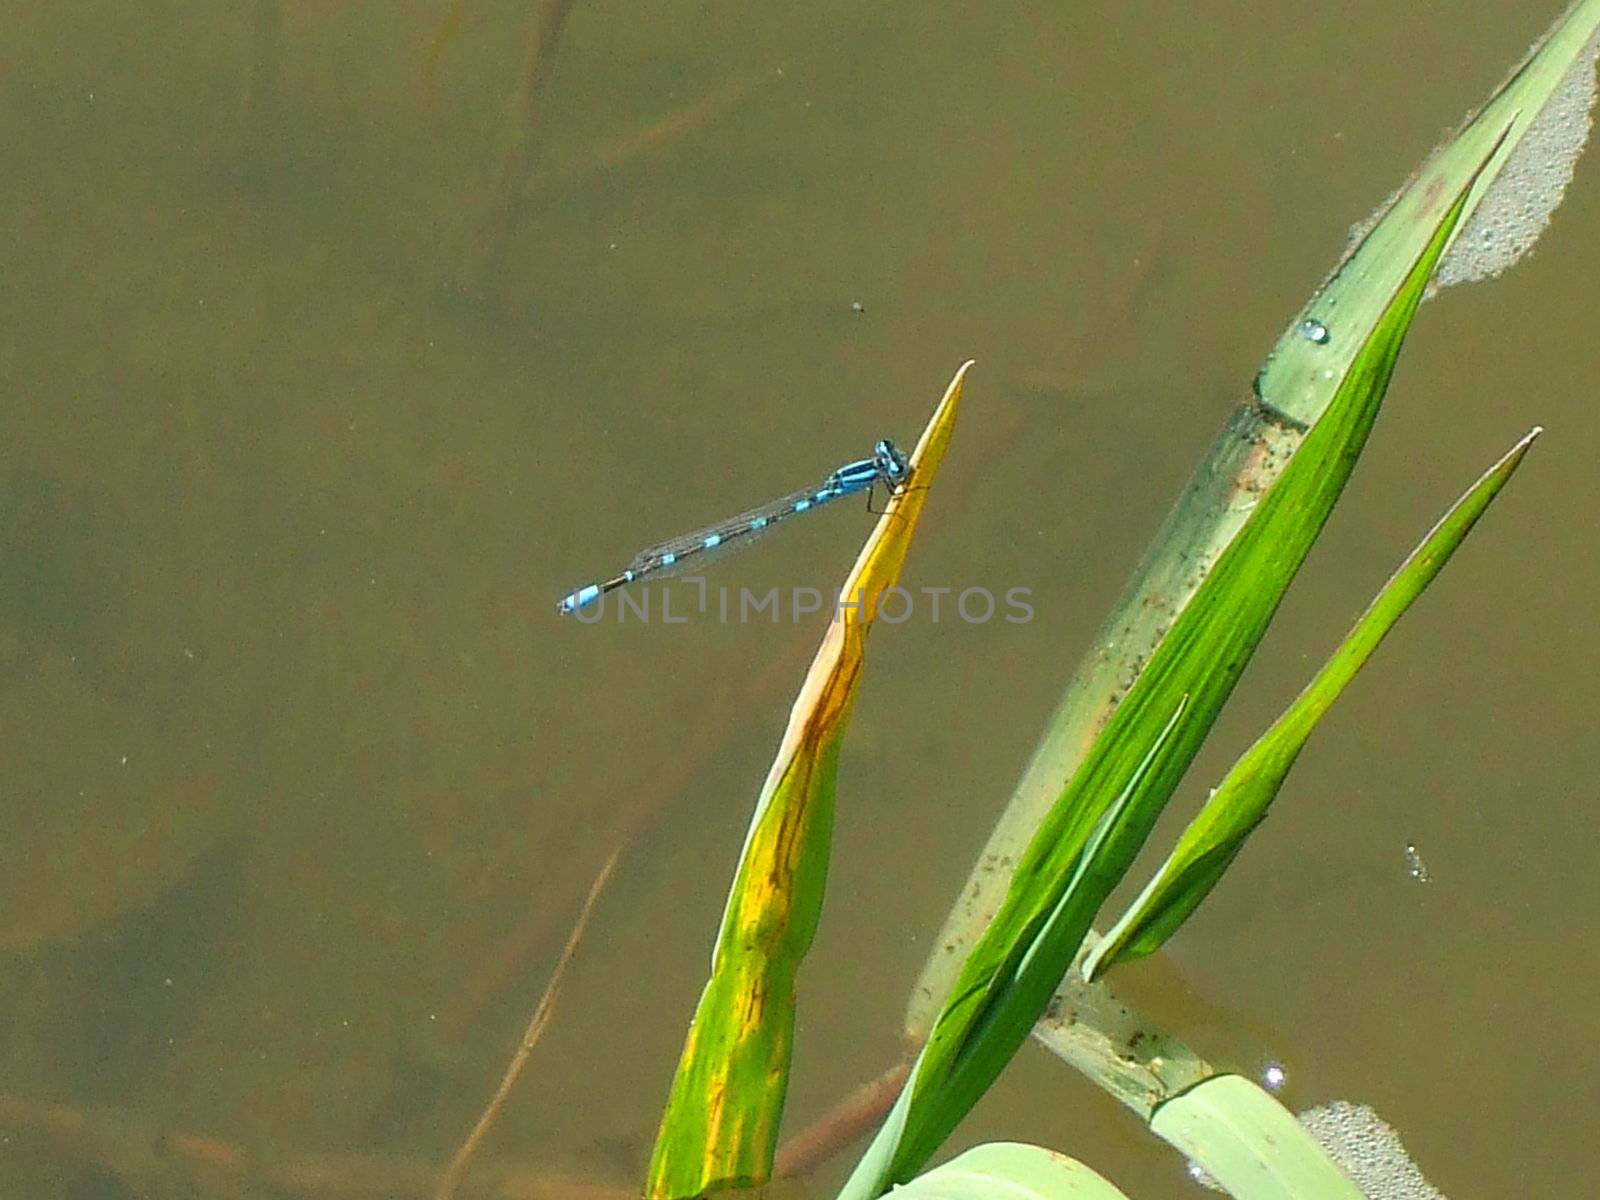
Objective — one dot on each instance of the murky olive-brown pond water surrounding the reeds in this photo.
(303, 780)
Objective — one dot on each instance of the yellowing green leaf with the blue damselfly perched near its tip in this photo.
(721, 1124)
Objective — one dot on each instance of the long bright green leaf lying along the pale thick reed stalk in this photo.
(994, 1004)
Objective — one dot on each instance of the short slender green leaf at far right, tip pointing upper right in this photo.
(1249, 790)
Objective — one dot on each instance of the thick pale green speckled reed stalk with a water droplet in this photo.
(1542, 110)
